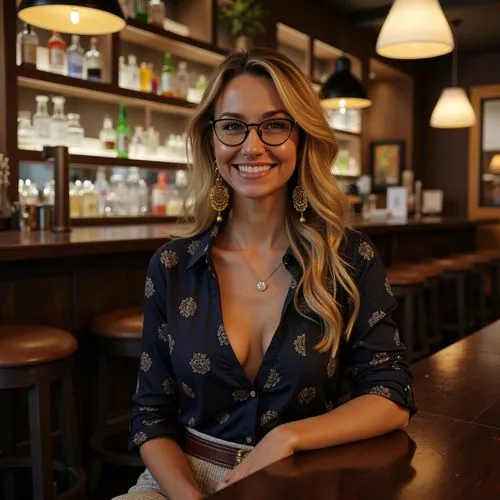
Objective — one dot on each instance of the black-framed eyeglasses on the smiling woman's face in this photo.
(273, 132)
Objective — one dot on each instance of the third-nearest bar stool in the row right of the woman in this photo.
(456, 272)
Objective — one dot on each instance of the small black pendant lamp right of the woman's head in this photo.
(343, 89)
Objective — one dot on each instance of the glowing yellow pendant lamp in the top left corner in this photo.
(96, 17)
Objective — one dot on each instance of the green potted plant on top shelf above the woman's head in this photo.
(244, 19)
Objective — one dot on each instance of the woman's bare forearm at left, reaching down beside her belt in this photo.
(169, 466)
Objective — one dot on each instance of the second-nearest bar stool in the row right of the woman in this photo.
(432, 274)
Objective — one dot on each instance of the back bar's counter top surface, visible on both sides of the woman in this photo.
(21, 245)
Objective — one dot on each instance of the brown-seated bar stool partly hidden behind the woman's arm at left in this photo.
(119, 335)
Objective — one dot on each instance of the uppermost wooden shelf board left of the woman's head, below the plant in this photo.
(153, 37)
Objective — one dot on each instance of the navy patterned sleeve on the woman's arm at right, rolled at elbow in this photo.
(376, 357)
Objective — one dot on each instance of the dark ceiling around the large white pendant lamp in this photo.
(479, 31)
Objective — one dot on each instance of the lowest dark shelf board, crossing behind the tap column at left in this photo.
(25, 155)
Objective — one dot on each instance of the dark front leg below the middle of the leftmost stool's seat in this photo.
(41, 440)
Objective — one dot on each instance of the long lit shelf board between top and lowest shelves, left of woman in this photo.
(52, 84)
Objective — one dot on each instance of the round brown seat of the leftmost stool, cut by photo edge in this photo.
(22, 345)
